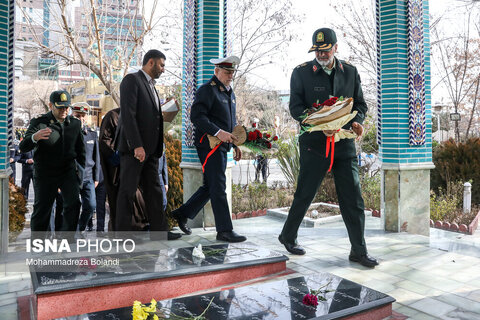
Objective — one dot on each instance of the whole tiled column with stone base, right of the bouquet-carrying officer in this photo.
(404, 114)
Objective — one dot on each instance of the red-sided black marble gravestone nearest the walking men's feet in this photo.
(164, 274)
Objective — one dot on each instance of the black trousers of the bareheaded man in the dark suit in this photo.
(134, 173)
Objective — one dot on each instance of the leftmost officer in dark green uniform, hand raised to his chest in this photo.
(59, 157)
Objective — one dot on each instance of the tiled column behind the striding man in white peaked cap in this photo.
(204, 38)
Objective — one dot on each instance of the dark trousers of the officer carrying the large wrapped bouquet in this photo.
(313, 167)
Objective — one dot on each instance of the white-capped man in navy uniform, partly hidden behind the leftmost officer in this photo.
(91, 176)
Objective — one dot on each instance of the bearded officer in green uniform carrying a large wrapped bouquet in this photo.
(312, 82)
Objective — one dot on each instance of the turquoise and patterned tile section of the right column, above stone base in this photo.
(404, 107)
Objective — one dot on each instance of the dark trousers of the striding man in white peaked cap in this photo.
(213, 189)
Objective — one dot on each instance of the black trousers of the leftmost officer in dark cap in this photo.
(46, 188)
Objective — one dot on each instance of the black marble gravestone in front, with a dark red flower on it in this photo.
(281, 299)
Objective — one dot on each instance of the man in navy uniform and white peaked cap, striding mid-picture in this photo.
(213, 113)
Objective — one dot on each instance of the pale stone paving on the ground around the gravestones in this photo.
(431, 278)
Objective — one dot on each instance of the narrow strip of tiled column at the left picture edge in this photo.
(6, 111)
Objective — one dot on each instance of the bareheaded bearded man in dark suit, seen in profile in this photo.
(140, 145)
